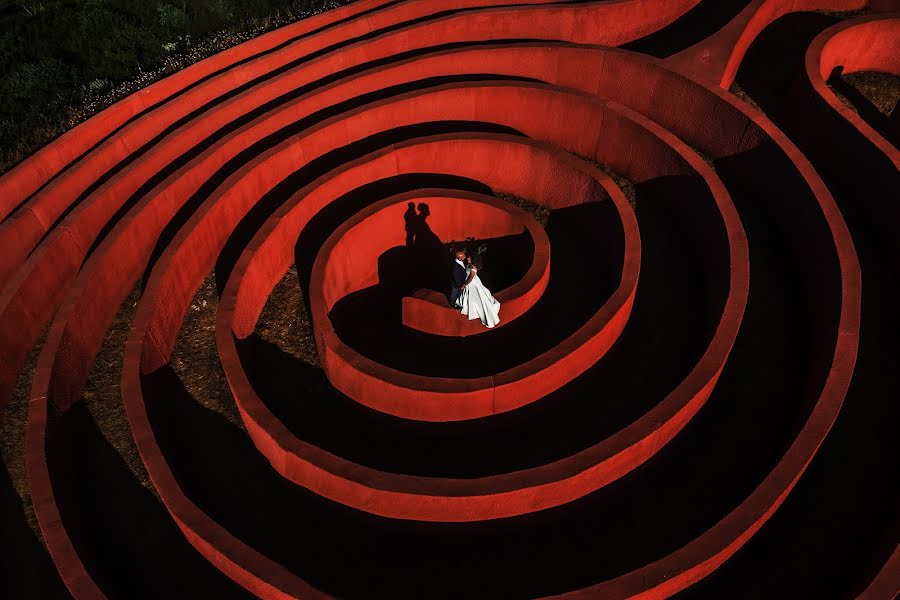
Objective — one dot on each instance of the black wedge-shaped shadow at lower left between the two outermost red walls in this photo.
(123, 534)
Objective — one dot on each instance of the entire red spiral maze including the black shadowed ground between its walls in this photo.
(709, 298)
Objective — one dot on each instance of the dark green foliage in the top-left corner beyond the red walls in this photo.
(59, 53)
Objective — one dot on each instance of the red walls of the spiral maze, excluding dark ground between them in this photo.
(546, 106)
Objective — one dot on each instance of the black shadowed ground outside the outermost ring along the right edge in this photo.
(840, 523)
